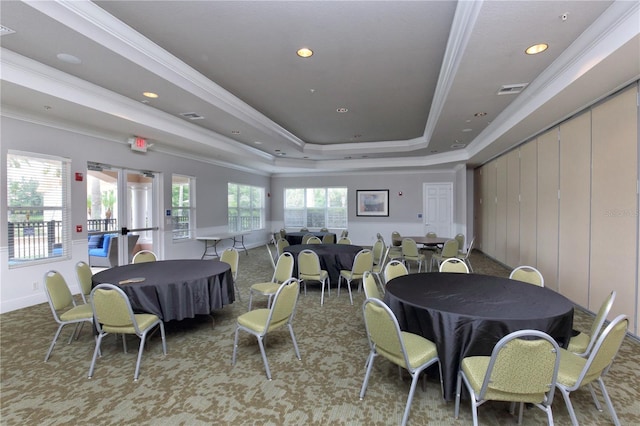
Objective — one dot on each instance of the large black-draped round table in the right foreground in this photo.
(467, 314)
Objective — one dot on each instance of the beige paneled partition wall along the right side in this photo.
(572, 195)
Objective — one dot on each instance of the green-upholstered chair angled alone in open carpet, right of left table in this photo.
(261, 321)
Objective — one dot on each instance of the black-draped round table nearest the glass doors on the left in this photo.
(173, 289)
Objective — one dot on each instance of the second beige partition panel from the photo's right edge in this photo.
(575, 192)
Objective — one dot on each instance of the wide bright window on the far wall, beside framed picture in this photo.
(315, 208)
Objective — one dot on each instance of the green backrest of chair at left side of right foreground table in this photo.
(383, 331)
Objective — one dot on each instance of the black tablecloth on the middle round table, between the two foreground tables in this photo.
(333, 257)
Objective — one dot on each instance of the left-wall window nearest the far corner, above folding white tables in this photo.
(246, 207)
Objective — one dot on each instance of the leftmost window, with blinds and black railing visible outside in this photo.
(38, 200)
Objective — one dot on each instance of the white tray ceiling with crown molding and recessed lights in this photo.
(412, 74)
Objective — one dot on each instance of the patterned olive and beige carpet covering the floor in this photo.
(195, 383)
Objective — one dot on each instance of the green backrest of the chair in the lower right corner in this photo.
(604, 351)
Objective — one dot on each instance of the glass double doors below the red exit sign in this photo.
(121, 217)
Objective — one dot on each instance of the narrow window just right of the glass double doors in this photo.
(183, 206)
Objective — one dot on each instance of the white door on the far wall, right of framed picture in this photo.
(438, 209)
